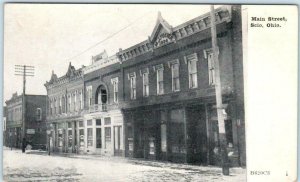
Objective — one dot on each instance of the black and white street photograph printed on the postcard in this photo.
(125, 92)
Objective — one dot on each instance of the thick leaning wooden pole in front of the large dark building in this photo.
(218, 88)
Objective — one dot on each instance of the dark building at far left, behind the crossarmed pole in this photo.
(35, 121)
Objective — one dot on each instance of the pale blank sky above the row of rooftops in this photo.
(49, 36)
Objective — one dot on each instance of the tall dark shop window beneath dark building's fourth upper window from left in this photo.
(177, 131)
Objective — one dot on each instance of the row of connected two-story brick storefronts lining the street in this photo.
(156, 99)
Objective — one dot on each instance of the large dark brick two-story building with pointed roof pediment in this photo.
(169, 99)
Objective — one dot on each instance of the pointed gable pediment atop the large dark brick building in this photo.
(162, 33)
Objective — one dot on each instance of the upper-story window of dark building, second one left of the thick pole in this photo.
(191, 60)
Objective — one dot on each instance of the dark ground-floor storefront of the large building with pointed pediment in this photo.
(186, 133)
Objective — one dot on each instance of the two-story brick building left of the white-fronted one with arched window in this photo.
(65, 111)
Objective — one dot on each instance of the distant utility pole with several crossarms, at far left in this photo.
(24, 70)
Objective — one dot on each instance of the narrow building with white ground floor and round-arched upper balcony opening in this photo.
(103, 120)
